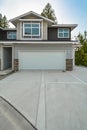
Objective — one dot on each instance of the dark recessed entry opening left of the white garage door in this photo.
(7, 57)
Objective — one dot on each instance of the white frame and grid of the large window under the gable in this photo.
(31, 28)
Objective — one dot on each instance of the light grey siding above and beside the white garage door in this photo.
(67, 48)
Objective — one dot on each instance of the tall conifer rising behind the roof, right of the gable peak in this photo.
(48, 12)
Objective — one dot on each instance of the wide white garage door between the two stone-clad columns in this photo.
(42, 60)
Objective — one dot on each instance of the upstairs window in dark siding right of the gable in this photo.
(63, 33)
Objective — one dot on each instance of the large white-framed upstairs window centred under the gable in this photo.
(31, 29)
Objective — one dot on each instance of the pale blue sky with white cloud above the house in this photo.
(66, 11)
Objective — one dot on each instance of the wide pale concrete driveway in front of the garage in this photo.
(51, 100)
